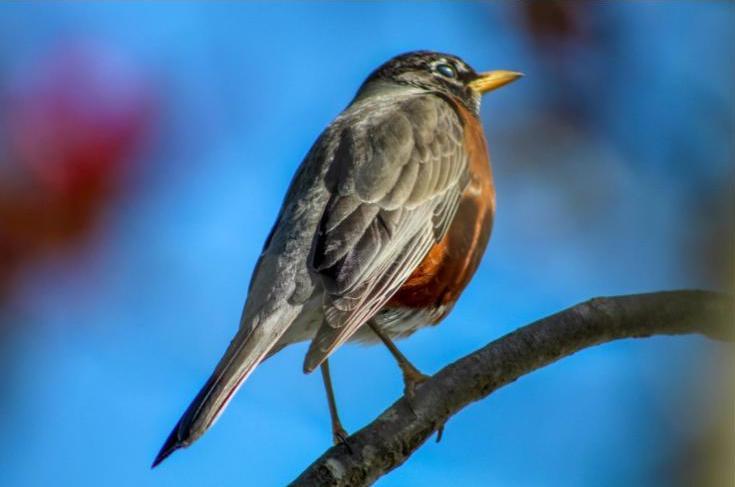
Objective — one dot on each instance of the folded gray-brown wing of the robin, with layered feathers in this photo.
(396, 181)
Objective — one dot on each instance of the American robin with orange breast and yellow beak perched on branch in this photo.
(382, 228)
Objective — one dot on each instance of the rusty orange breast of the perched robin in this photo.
(450, 264)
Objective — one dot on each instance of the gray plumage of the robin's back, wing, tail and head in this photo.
(393, 160)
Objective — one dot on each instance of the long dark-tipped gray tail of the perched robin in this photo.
(249, 347)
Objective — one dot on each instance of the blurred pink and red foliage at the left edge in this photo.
(73, 119)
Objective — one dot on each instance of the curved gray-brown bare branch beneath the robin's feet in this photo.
(401, 429)
